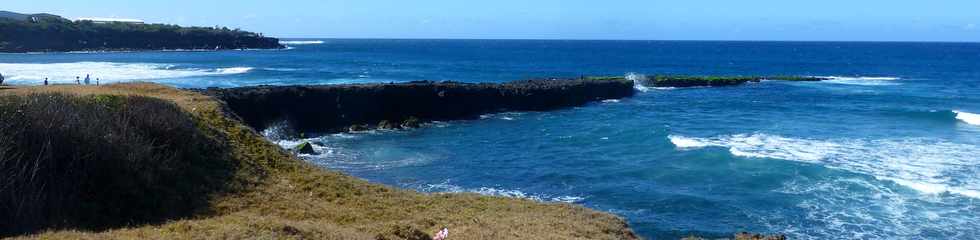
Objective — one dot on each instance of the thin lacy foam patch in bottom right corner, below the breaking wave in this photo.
(861, 208)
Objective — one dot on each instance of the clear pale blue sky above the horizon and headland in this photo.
(855, 20)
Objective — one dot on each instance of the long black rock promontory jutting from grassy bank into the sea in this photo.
(338, 108)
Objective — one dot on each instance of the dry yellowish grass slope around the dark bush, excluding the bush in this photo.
(282, 197)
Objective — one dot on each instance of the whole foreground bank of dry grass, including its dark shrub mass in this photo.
(261, 191)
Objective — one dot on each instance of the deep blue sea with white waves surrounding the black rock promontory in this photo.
(889, 150)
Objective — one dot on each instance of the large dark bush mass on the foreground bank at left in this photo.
(102, 161)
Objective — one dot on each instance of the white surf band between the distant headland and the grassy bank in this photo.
(107, 72)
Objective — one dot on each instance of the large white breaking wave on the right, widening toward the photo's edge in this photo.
(927, 166)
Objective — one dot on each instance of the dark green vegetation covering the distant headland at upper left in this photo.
(53, 33)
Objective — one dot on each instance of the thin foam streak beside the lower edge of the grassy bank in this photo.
(498, 192)
